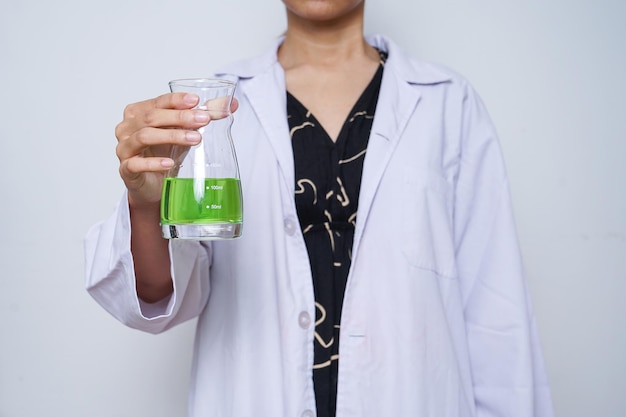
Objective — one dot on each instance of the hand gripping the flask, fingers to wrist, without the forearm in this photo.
(145, 138)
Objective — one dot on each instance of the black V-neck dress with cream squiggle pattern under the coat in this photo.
(328, 181)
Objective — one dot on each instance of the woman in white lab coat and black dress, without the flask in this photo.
(378, 274)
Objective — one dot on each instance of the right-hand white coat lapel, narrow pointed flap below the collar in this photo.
(396, 103)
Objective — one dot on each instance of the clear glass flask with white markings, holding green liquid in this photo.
(202, 192)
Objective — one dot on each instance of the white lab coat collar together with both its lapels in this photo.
(264, 82)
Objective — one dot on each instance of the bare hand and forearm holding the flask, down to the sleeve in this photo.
(145, 138)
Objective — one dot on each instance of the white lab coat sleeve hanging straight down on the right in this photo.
(507, 367)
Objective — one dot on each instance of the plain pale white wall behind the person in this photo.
(551, 72)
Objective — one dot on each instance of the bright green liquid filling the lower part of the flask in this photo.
(219, 201)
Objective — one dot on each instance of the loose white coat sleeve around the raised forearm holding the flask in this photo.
(110, 276)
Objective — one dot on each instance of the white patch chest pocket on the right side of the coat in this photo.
(427, 211)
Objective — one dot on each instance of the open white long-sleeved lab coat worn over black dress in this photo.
(436, 317)
